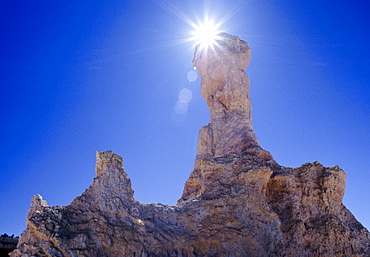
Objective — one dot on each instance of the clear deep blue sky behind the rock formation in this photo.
(85, 76)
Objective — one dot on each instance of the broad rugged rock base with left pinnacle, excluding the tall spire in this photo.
(246, 207)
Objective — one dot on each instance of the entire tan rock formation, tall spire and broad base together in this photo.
(237, 201)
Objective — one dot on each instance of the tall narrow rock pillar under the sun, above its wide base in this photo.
(225, 87)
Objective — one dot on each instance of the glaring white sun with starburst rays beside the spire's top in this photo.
(205, 33)
